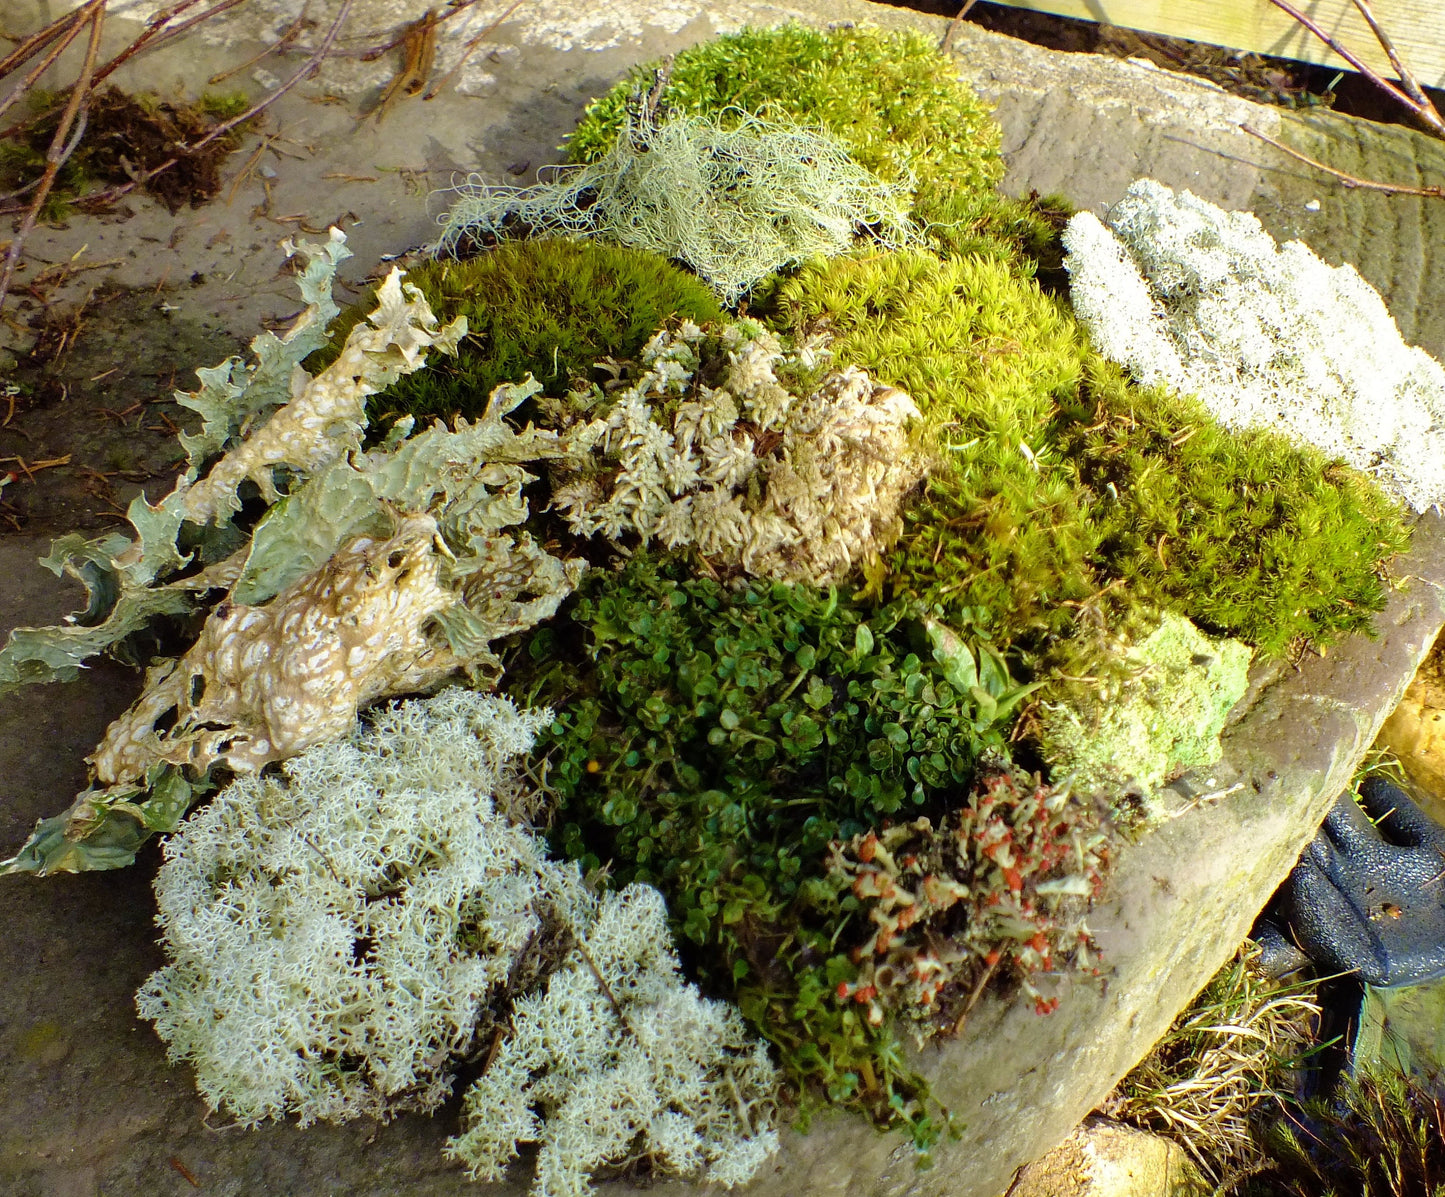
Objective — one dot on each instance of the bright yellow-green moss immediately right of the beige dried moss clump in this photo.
(1001, 531)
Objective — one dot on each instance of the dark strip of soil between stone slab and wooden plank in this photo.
(1256, 77)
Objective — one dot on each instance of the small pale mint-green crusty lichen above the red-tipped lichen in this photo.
(1160, 715)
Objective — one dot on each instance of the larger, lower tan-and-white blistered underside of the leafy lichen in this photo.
(267, 683)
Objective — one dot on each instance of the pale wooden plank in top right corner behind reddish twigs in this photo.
(1415, 27)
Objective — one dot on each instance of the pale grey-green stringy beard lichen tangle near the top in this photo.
(733, 202)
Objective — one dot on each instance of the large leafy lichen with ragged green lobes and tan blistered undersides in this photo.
(379, 573)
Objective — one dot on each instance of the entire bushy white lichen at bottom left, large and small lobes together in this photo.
(345, 935)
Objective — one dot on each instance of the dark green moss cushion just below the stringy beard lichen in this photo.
(548, 309)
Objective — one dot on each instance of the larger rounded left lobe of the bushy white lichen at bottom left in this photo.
(336, 932)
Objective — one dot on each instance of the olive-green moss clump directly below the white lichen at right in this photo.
(1245, 533)
